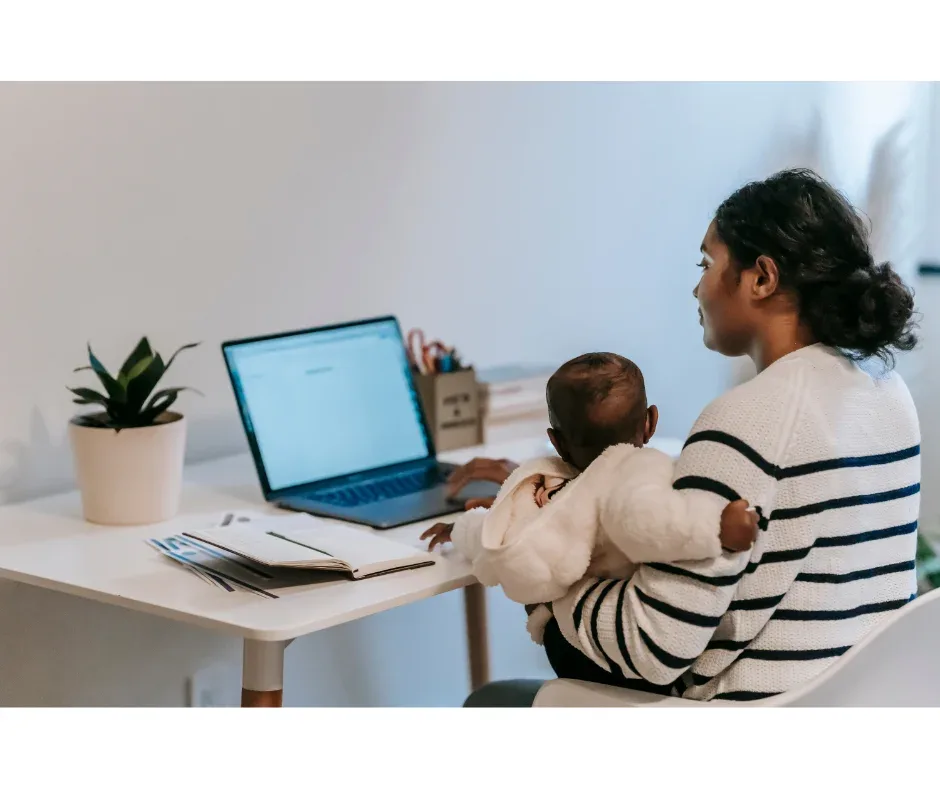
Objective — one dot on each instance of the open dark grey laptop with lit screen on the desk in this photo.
(336, 426)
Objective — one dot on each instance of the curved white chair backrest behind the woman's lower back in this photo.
(898, 664)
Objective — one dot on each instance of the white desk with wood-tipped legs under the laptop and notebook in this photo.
(45, 543)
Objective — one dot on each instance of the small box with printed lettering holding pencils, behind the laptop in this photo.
(451, 401)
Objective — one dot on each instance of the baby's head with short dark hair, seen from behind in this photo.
(596, 401)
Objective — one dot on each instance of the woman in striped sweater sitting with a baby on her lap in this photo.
(829, 453)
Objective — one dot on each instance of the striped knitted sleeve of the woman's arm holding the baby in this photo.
(656, 624)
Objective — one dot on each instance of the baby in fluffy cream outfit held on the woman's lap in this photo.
(558, 519)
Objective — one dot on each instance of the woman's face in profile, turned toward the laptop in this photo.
(722, 304)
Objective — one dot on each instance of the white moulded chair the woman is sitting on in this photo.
(898, 664)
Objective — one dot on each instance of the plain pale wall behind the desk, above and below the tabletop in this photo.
(524, 222)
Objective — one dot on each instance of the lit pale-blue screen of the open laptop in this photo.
(327, 403)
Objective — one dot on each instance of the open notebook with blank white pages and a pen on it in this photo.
(303, 542)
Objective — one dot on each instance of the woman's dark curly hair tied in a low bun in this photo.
(820, 245)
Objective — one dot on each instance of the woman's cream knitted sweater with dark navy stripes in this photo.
(831, 456)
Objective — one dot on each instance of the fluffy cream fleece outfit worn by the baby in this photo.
(537, 552)
